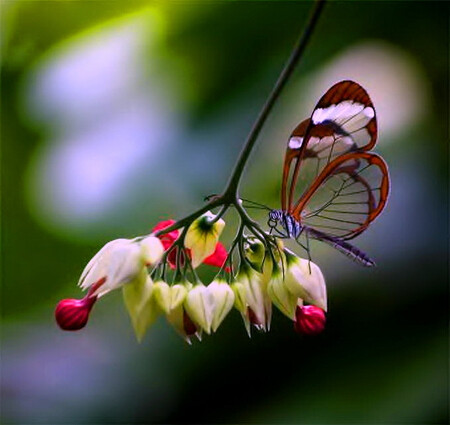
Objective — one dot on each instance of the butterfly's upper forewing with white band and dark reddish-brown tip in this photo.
(343, 121)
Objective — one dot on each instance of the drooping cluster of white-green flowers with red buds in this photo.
(265, 276)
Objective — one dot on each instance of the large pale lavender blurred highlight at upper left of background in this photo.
(107, 121)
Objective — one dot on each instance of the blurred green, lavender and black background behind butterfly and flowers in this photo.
(117, 114)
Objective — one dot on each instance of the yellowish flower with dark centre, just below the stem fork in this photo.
(202, 237)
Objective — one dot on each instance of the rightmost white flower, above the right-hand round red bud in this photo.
(305, 280)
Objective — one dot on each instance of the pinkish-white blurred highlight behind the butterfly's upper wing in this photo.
(391, 77)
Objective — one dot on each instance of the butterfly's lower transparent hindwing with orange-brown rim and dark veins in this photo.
(346, 197)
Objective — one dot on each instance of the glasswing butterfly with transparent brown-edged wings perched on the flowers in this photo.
(333, 187)
